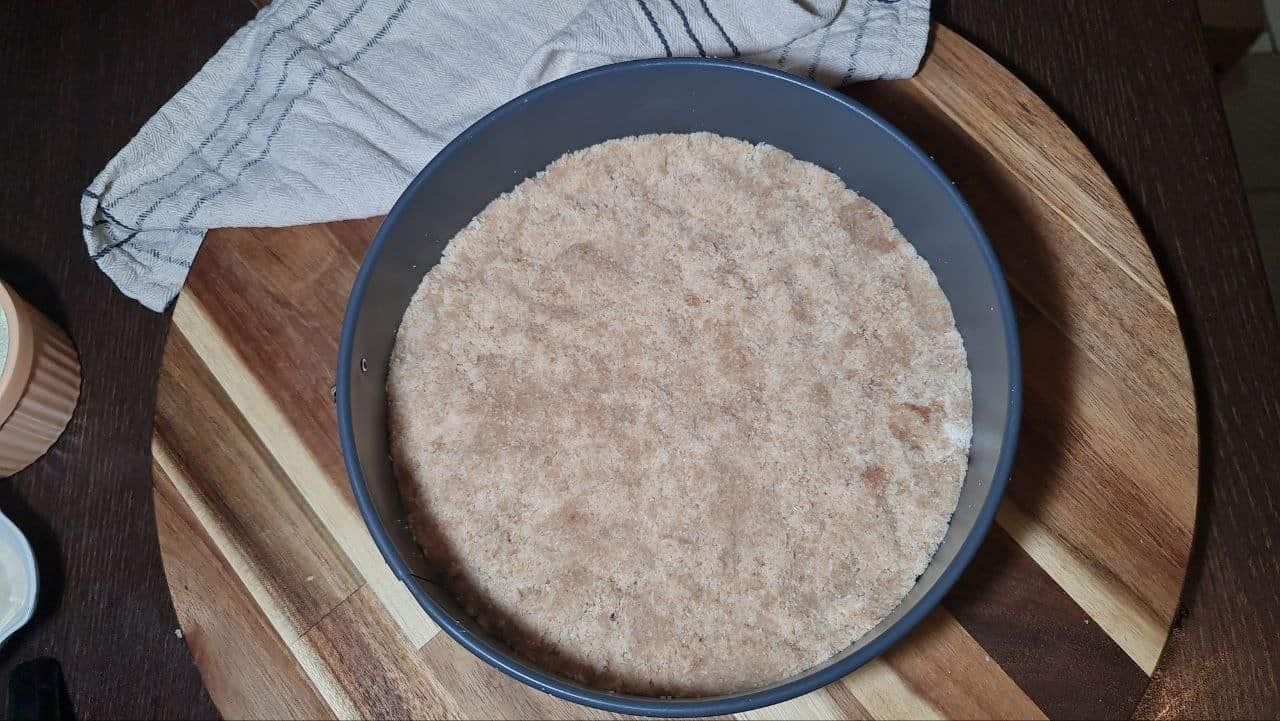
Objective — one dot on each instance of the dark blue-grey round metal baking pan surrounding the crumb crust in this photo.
(679, 97)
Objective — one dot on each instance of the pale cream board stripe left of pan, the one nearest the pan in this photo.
(333, 508)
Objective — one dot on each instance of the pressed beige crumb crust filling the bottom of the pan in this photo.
(680, 417)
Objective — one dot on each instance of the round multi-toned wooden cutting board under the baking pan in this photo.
(291, 613)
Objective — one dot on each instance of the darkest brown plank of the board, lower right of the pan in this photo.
(1046, 644)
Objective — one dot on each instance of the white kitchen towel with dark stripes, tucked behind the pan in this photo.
(326, 109)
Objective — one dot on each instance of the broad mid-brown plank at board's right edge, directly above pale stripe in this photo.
(1112, 482)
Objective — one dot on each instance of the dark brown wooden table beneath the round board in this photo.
(1128, 76)
